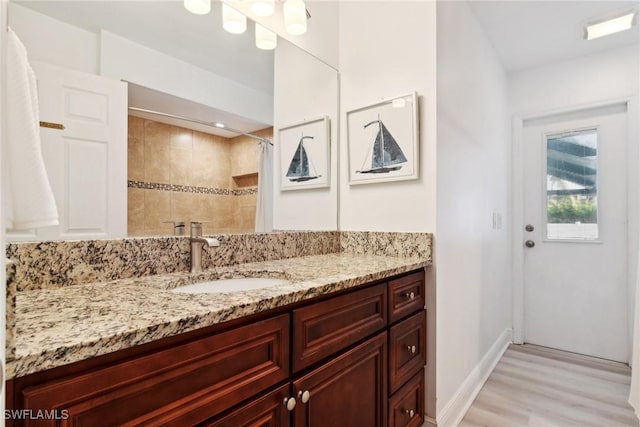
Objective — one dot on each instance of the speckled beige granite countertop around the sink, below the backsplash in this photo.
(55, 327)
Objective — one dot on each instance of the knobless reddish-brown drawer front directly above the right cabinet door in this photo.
(327, 327)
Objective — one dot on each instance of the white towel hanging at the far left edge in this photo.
(29, 199)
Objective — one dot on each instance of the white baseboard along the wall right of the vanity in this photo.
(459, 404)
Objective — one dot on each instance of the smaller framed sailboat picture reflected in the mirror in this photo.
(304, 155)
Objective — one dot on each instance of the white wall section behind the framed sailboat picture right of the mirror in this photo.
(388, 49)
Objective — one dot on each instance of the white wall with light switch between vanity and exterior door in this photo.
(472, 257)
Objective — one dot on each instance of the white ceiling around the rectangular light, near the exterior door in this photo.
(528, 34)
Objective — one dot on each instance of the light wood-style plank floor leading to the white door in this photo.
(535, 386)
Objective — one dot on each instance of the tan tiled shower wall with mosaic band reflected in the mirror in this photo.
(177, 174)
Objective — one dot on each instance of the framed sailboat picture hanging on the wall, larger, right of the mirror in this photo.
(382, 141)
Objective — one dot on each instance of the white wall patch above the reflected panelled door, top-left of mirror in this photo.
(55, 42)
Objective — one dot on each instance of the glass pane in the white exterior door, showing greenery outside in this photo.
(572, 190)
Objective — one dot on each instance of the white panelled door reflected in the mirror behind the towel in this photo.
(87, 160)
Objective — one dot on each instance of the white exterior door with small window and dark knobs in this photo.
(575, 199)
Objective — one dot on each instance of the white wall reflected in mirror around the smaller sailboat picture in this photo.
(304, 89)
